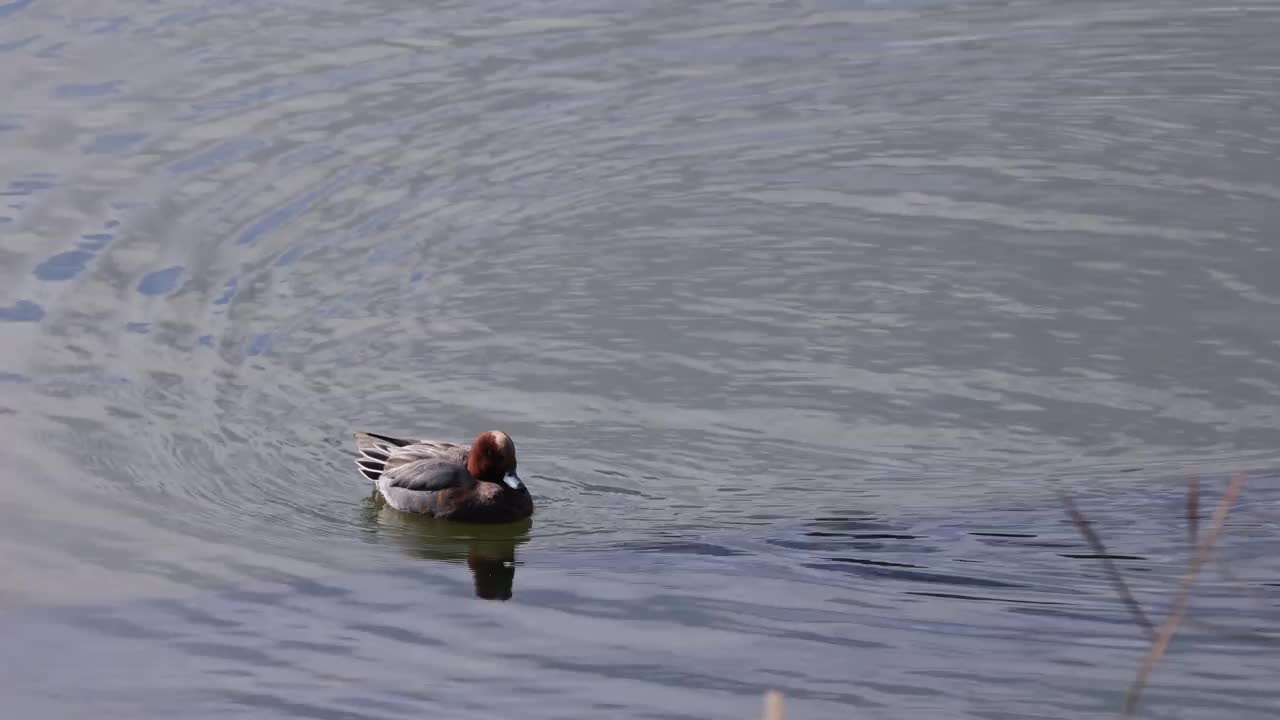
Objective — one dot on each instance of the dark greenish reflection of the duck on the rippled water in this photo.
(490, 550)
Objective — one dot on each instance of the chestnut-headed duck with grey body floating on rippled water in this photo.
(476, 484)
